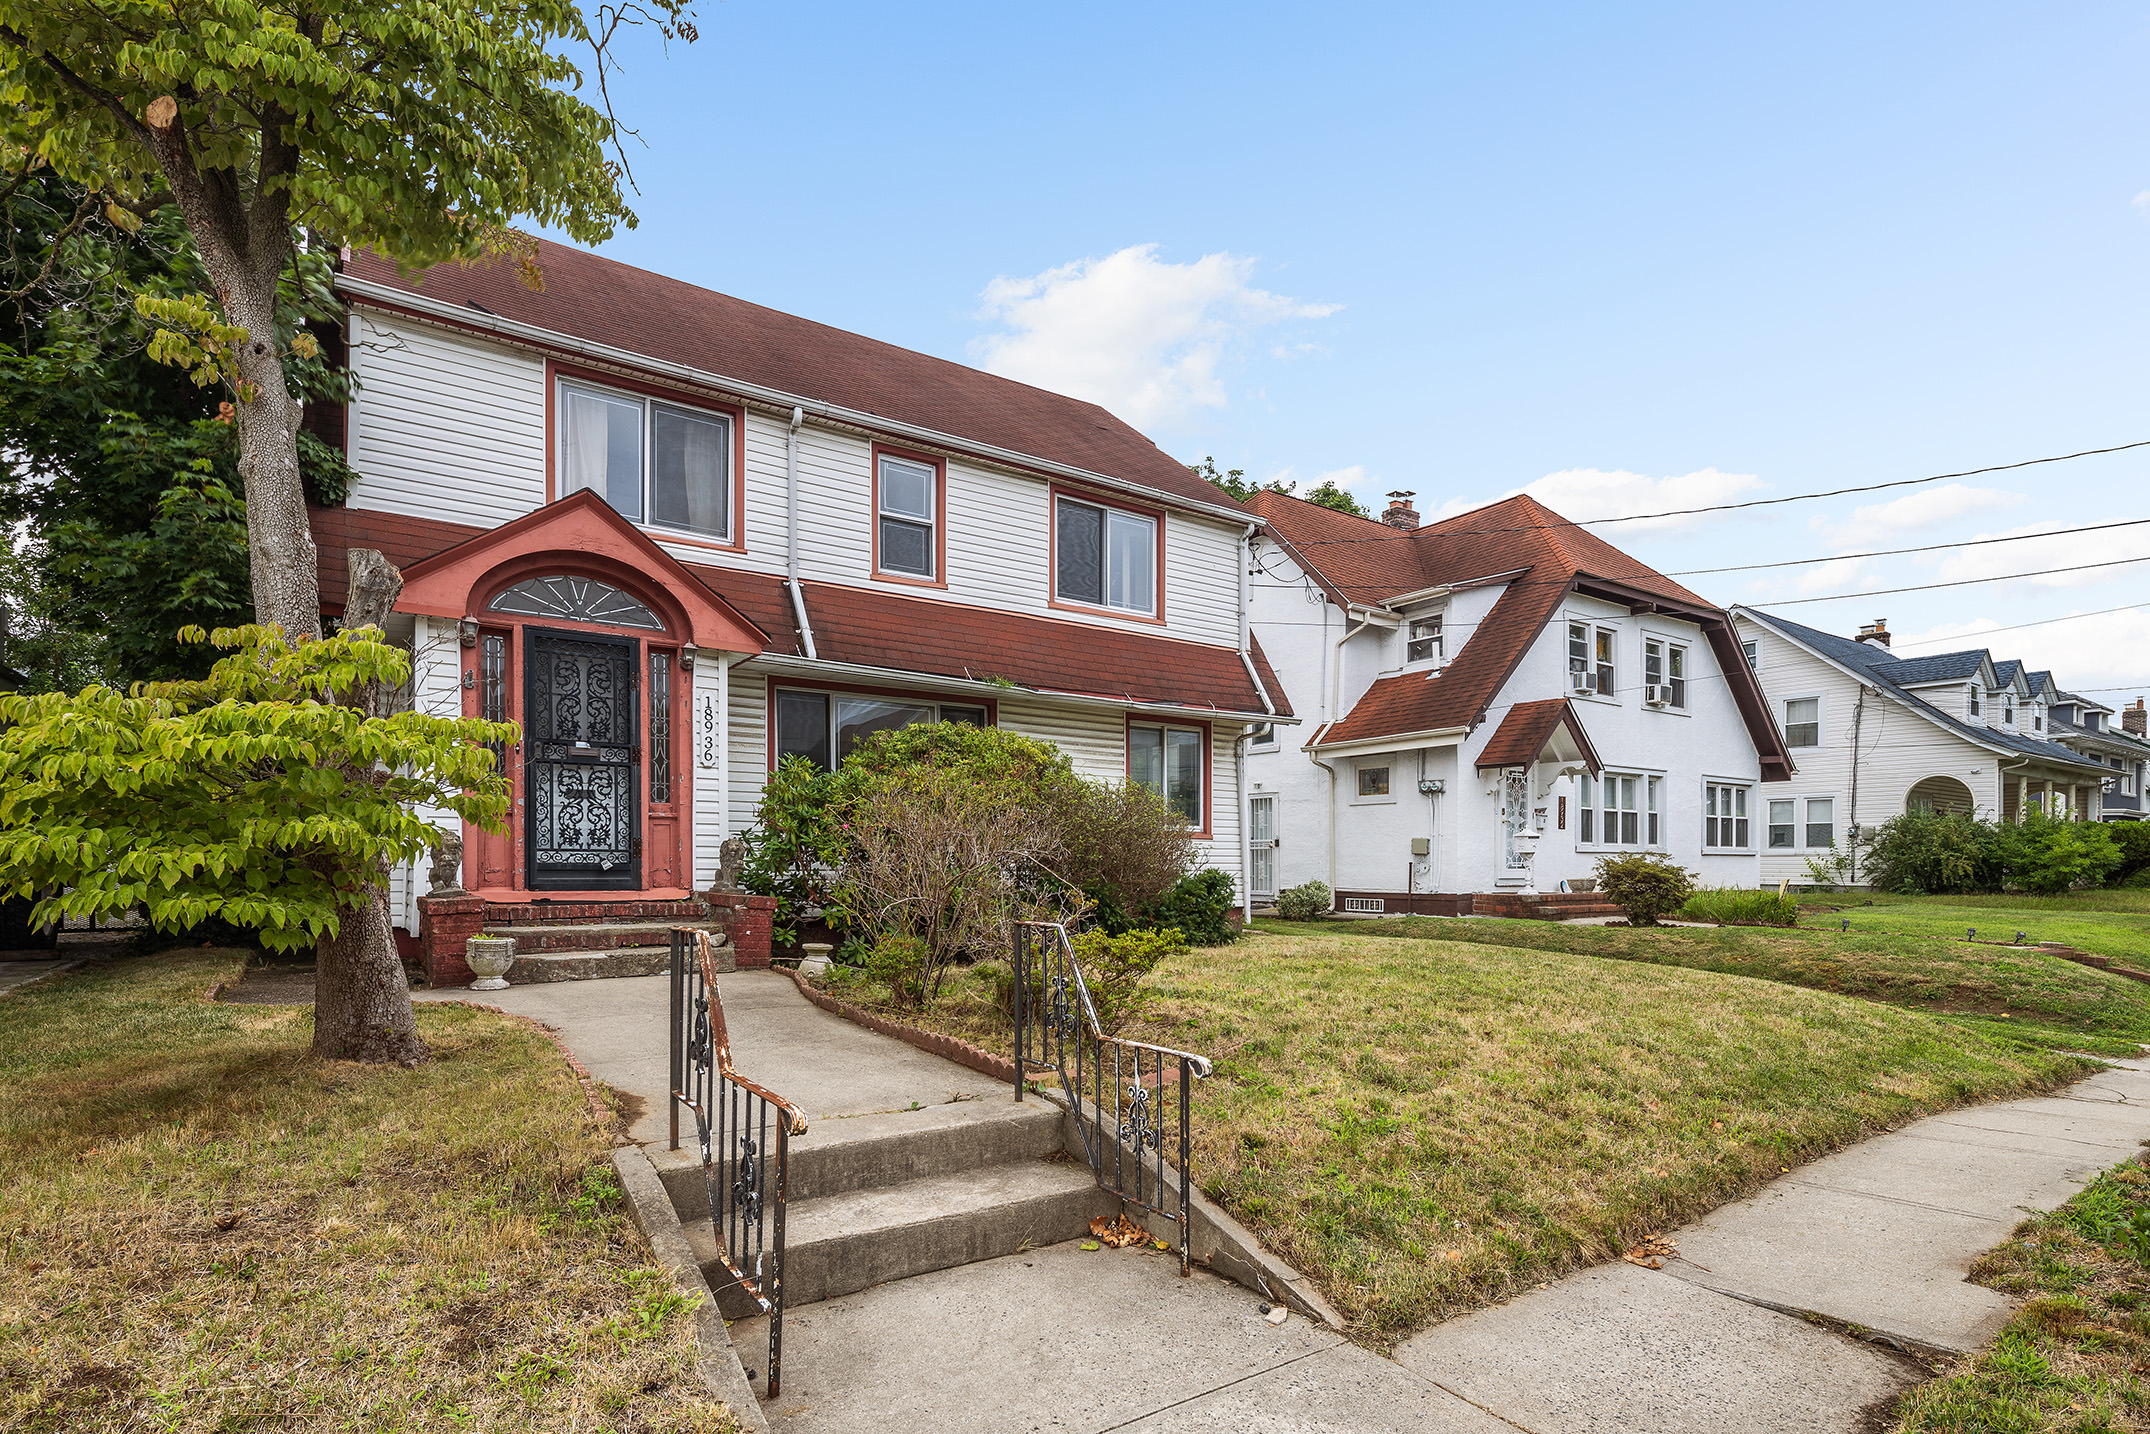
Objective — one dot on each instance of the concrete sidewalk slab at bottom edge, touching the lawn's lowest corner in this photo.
(1620, 1351)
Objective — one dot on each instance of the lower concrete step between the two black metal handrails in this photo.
(846, 1244)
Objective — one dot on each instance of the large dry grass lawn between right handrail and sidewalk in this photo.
(1435, 1125)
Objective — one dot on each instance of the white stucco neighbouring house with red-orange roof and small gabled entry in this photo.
(1497, 702)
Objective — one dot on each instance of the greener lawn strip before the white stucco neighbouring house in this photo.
(1902, 956)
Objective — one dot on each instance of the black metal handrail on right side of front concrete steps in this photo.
(1057, 1029)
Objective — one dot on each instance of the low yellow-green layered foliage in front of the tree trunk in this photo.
(257, 794)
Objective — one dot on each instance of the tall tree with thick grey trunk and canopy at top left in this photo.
(422, 130)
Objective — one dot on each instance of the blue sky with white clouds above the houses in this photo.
(1626, 259)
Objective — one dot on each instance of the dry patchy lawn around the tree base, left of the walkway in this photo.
(205, 1229)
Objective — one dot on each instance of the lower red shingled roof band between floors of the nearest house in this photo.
(889, 631)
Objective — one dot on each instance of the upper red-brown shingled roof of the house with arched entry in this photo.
(672, 321)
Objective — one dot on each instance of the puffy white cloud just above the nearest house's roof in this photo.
(1132, 332)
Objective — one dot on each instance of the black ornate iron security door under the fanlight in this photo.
(582, 762)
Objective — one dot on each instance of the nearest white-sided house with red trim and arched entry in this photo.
(680, 539)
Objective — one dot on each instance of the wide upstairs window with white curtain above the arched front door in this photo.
(657, 463)
